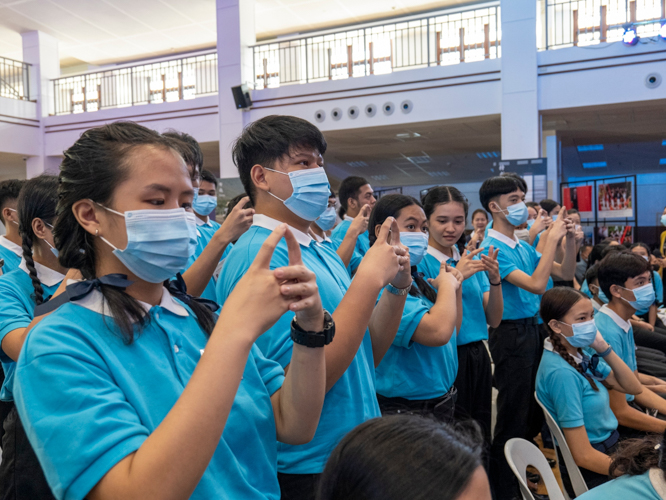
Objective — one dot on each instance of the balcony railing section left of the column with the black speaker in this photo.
(164, 81)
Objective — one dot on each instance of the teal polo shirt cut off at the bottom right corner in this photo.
(629, 487)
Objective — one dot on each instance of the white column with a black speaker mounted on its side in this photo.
(235, 36)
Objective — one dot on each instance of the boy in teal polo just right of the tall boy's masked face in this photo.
(356, 199)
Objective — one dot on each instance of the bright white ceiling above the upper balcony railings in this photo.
(96, 32)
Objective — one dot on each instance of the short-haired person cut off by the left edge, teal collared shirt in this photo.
(10, 242)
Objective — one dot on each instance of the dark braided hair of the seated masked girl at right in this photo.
(555, 304)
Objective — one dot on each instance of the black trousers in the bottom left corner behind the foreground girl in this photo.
(21, 476)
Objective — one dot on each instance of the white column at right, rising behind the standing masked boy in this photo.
(521, 126)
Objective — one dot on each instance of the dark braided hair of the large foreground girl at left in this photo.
(92, 169)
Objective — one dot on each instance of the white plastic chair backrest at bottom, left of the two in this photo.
(520, 454)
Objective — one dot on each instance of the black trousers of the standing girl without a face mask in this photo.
(475, 386)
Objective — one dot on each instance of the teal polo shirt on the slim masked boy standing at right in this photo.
(515, 255)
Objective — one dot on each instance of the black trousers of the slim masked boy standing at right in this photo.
(516, 348)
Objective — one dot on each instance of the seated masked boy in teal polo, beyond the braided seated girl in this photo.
(624, 278)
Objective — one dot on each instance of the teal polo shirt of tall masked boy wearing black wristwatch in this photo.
(352, 400)
